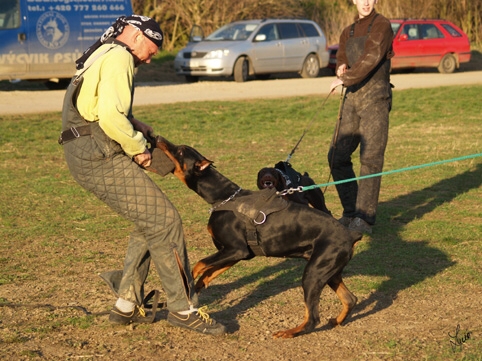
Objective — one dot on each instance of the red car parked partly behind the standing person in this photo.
(424, 43)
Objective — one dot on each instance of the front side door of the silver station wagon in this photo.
(267, 50)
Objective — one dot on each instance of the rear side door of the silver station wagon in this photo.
(295, 45)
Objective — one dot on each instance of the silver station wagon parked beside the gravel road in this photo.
(255, 48)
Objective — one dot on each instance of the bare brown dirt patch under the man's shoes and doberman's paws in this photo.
(405, 325)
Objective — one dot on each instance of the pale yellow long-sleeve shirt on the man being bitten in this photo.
(106, 96)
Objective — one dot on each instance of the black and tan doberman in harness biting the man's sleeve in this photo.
(243, 222)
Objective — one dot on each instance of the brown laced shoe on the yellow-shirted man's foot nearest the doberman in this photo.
(198, 321)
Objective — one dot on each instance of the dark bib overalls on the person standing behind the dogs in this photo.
(364, 123)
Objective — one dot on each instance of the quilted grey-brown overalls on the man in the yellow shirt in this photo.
(99, 165)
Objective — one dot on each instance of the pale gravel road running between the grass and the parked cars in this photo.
(23, 102)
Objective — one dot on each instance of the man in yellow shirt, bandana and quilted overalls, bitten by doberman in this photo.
(106, 149)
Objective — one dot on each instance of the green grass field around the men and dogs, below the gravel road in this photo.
(426, 246)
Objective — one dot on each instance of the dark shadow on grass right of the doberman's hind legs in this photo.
(405, 264)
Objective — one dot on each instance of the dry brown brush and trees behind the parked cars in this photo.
(177, 17)
